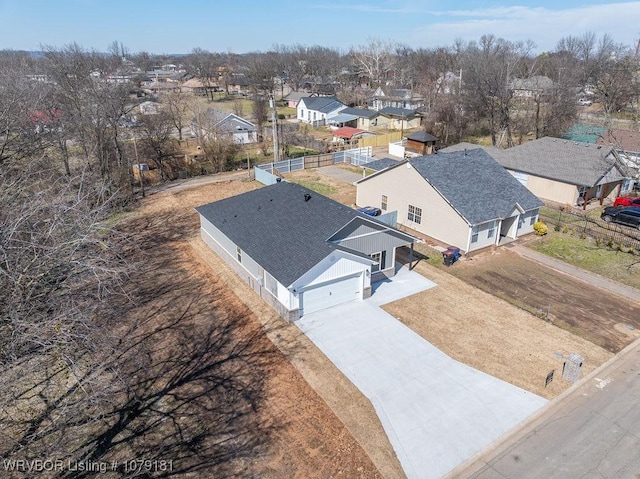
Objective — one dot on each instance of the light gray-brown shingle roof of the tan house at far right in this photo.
(581, 164)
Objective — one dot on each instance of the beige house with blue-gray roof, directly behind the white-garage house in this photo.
(464, 199)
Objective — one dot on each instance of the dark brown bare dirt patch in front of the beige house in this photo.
(566, 302)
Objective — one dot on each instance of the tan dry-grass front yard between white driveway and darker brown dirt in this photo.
(490, 334)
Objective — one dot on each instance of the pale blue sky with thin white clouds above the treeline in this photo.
(179, 26)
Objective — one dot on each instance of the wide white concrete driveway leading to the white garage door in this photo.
(436, 411)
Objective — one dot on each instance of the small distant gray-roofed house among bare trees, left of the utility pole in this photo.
(217, 122)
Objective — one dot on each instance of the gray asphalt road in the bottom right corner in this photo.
(591, 432)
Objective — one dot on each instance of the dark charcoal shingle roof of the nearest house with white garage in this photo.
(274, 225)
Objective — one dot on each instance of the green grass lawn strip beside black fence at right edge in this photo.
(585, 253)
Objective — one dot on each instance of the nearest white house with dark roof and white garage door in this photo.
(300, 251)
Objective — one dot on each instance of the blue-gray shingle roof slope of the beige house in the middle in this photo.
(475, 184)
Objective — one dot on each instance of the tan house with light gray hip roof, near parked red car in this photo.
(566, 172)
